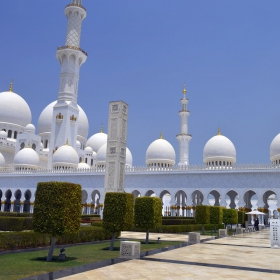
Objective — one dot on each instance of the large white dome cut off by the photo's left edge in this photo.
(14, 109)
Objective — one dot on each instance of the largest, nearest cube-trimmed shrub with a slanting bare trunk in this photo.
(57, 209)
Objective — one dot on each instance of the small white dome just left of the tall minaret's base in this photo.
(26, 158)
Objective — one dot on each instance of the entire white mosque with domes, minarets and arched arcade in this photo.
(62, 151)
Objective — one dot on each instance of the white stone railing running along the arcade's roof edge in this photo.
(138, 169)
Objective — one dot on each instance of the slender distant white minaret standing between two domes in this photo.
(184, 138)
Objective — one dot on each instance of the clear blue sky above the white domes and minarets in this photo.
(227, 52)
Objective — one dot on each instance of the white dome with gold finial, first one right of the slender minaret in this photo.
(219, 150)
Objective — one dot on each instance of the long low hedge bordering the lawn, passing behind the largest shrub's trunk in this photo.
(31, 239)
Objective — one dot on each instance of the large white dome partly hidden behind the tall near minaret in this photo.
(45, 120)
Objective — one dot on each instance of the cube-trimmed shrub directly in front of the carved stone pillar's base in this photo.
(117, 213)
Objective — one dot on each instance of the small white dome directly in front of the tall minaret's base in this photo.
(65, 157)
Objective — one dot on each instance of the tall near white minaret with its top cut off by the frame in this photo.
(70, 57)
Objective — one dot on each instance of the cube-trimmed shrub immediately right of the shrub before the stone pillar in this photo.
(147, 213)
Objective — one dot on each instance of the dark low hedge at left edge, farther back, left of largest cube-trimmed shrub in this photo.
(15, 223)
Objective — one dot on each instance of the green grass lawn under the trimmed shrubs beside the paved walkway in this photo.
(21, 265)
